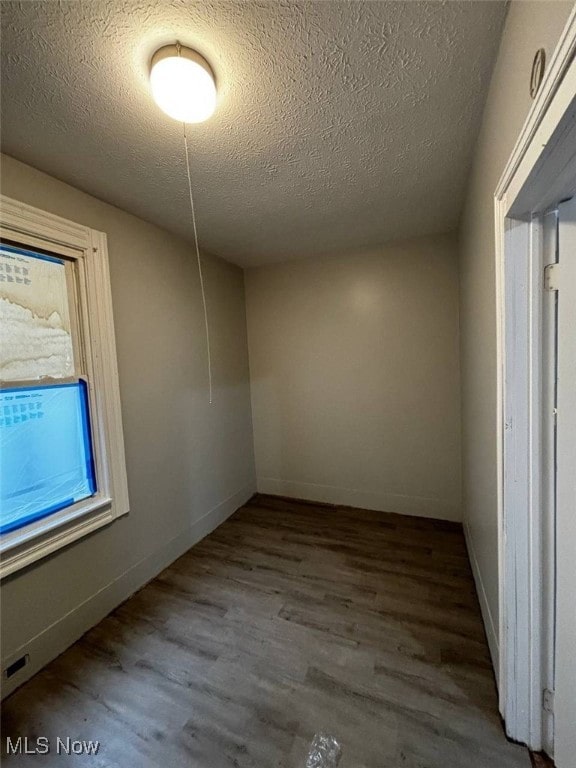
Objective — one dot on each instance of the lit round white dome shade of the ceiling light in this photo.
(182, 84)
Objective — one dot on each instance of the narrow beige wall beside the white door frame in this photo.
(529, 26)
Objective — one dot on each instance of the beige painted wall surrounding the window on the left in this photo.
(189, 464)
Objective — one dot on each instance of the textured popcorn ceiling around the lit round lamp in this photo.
(340, 125)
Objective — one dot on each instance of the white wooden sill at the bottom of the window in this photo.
(24, 547)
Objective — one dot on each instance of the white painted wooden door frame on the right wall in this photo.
(540, 172)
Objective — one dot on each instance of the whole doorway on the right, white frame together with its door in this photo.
(536, 273)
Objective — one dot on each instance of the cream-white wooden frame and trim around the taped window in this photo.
(30, 227)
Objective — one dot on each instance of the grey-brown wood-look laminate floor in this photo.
(291, 618)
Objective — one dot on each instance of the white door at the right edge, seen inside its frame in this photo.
(565, 662)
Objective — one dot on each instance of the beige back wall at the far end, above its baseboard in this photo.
(355, 379)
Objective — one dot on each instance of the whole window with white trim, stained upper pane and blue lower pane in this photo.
(62, 467)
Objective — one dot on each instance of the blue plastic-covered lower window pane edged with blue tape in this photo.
(46, 458)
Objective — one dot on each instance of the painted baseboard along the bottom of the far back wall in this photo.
(382, 502)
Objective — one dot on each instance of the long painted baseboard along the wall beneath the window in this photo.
(53, 640)
